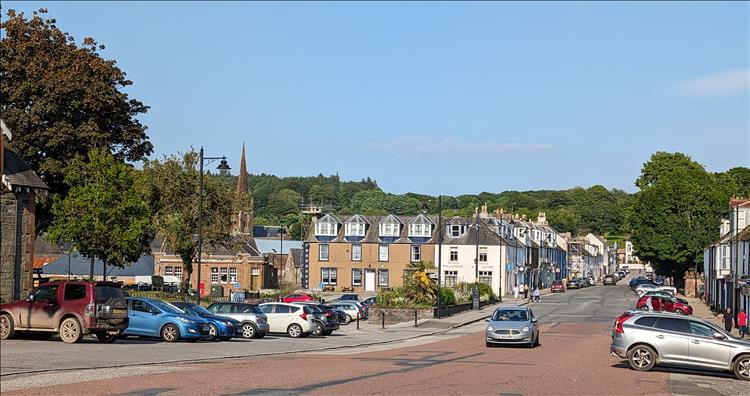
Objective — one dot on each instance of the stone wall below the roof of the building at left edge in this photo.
(17, 236)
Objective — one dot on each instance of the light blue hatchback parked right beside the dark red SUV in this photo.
(154, 318)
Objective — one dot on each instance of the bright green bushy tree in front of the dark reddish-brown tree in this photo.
(106, 214)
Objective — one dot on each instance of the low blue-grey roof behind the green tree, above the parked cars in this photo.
(80, 265)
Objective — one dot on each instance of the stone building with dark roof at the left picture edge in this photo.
(20, 185)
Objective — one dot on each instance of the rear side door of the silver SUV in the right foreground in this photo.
(671, 338)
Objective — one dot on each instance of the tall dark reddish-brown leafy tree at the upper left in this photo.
(62, 99)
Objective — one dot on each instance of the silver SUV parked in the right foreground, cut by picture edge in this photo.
(649, 338)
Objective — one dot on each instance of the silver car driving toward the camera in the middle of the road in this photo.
(512, 325)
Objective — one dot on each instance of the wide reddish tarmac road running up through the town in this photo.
(573, 359)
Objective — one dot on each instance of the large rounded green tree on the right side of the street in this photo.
(676, 213)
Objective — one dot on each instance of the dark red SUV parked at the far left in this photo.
(70, 308)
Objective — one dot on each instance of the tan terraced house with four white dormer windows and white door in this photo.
(366, 253)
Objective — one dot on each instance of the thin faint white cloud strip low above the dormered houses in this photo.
(428, 144)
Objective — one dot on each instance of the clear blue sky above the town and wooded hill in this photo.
(449, 98)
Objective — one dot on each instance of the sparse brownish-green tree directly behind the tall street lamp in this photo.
(174, 187)
